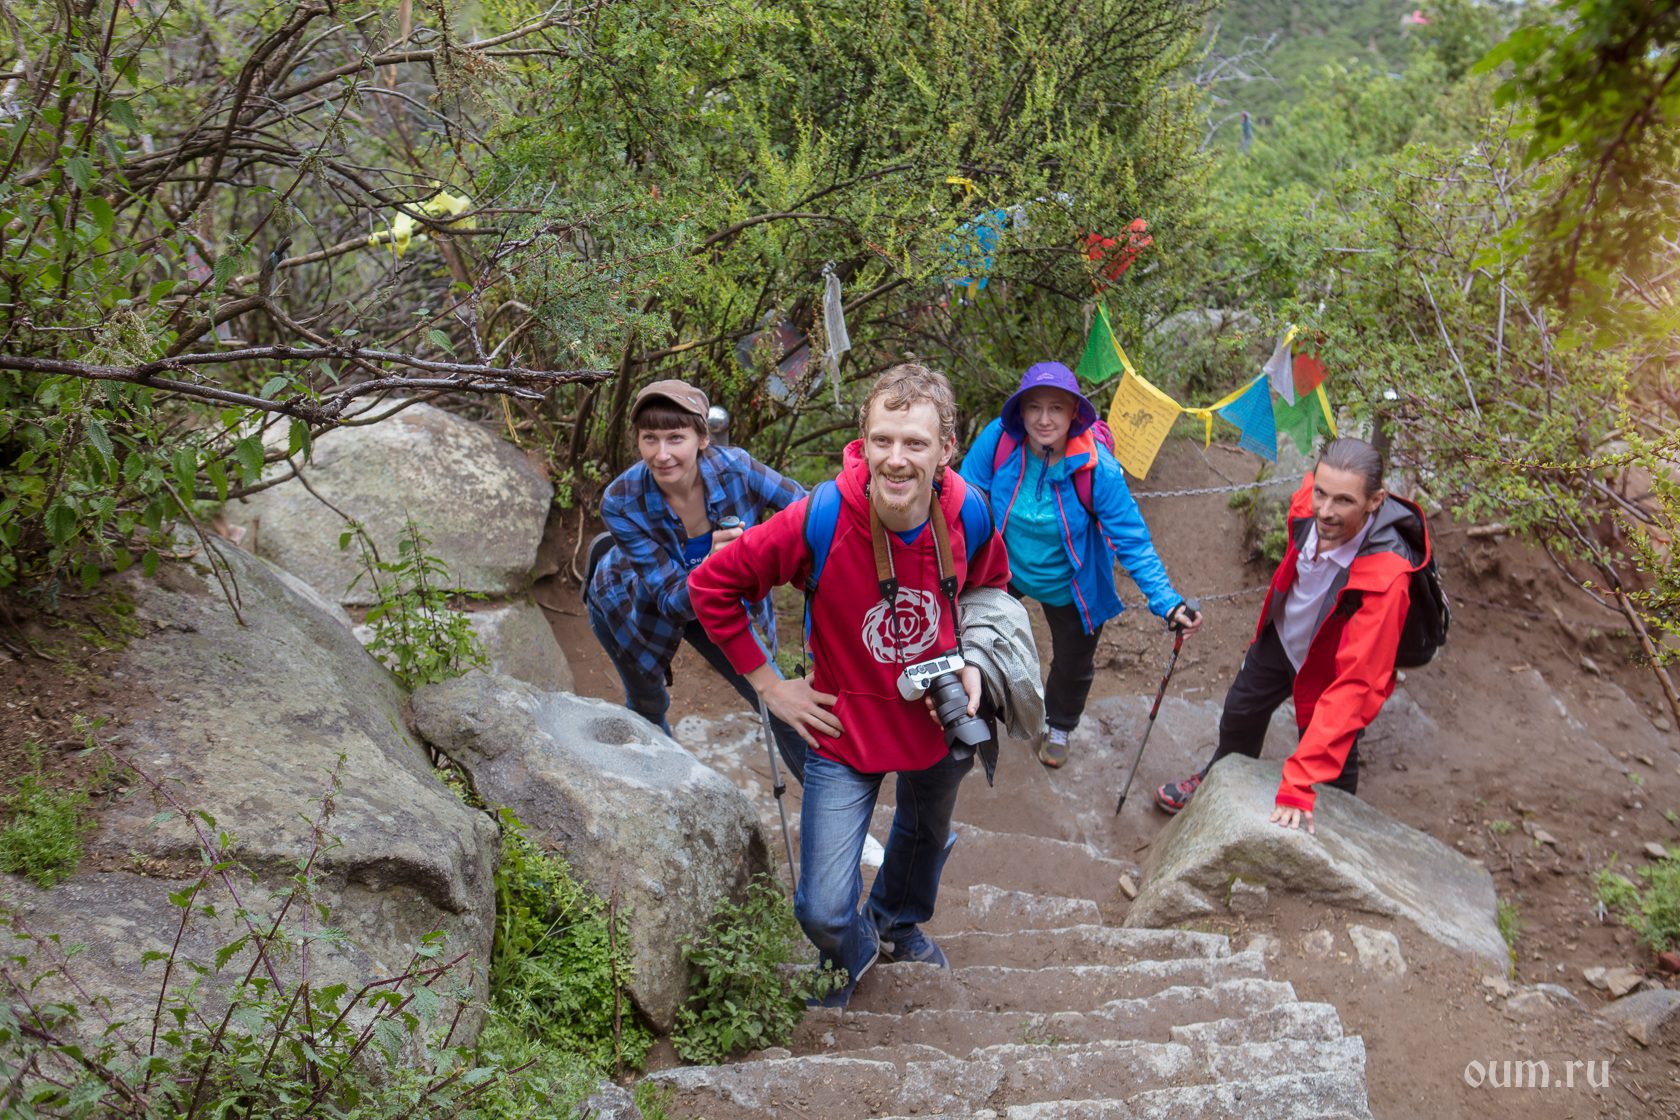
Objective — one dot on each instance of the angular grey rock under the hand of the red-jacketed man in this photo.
(1360, 859)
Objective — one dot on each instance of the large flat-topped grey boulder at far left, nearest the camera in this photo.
(248, 725)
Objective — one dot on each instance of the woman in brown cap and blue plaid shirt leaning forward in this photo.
(664, 516)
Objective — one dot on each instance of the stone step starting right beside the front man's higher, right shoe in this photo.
(1078, 945)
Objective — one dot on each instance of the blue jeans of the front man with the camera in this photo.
(834, 820)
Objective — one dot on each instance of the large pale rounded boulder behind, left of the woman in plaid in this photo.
(481, 503)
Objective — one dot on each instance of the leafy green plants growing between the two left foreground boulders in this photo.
(562, 960)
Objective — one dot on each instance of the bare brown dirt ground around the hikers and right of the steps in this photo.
(1525, 733)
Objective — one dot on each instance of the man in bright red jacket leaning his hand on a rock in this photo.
(1328, 632)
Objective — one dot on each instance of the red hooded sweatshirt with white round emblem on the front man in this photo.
(853, 644)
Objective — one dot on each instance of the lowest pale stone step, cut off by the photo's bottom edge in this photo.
(1289, 1097)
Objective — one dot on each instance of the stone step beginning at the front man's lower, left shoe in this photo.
(905, 988)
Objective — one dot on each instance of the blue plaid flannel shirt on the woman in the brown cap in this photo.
(643, 585)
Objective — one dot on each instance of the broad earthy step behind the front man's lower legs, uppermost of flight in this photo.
(1017, 862)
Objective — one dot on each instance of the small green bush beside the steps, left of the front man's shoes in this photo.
(745, 995)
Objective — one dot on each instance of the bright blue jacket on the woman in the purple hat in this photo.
(1118, 531)
